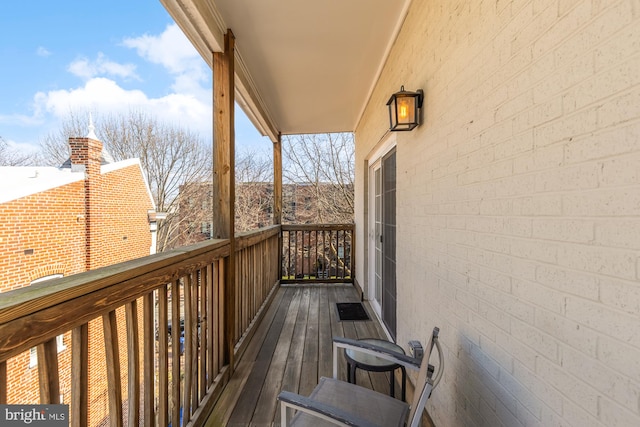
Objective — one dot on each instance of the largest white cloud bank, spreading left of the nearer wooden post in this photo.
(187, 102)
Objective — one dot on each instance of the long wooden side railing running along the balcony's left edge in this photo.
(163, 324)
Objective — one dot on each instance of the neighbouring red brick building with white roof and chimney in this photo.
(56, 222)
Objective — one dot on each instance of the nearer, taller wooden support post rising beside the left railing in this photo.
(224, 176)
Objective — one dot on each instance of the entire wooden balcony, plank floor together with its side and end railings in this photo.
(235, 314)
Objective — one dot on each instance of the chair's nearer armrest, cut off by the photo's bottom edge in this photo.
(321, 410)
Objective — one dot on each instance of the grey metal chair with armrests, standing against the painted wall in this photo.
(335, 402)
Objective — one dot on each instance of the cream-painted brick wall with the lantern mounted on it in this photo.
(519, 206)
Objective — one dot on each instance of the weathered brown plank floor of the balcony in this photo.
(290, 350)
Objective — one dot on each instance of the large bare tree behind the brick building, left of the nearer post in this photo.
(170, 156)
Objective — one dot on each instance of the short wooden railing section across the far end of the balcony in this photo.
(318, 253)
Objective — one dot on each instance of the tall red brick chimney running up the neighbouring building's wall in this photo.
(85, 157)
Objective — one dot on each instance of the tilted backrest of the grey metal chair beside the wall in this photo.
(426, 380)
